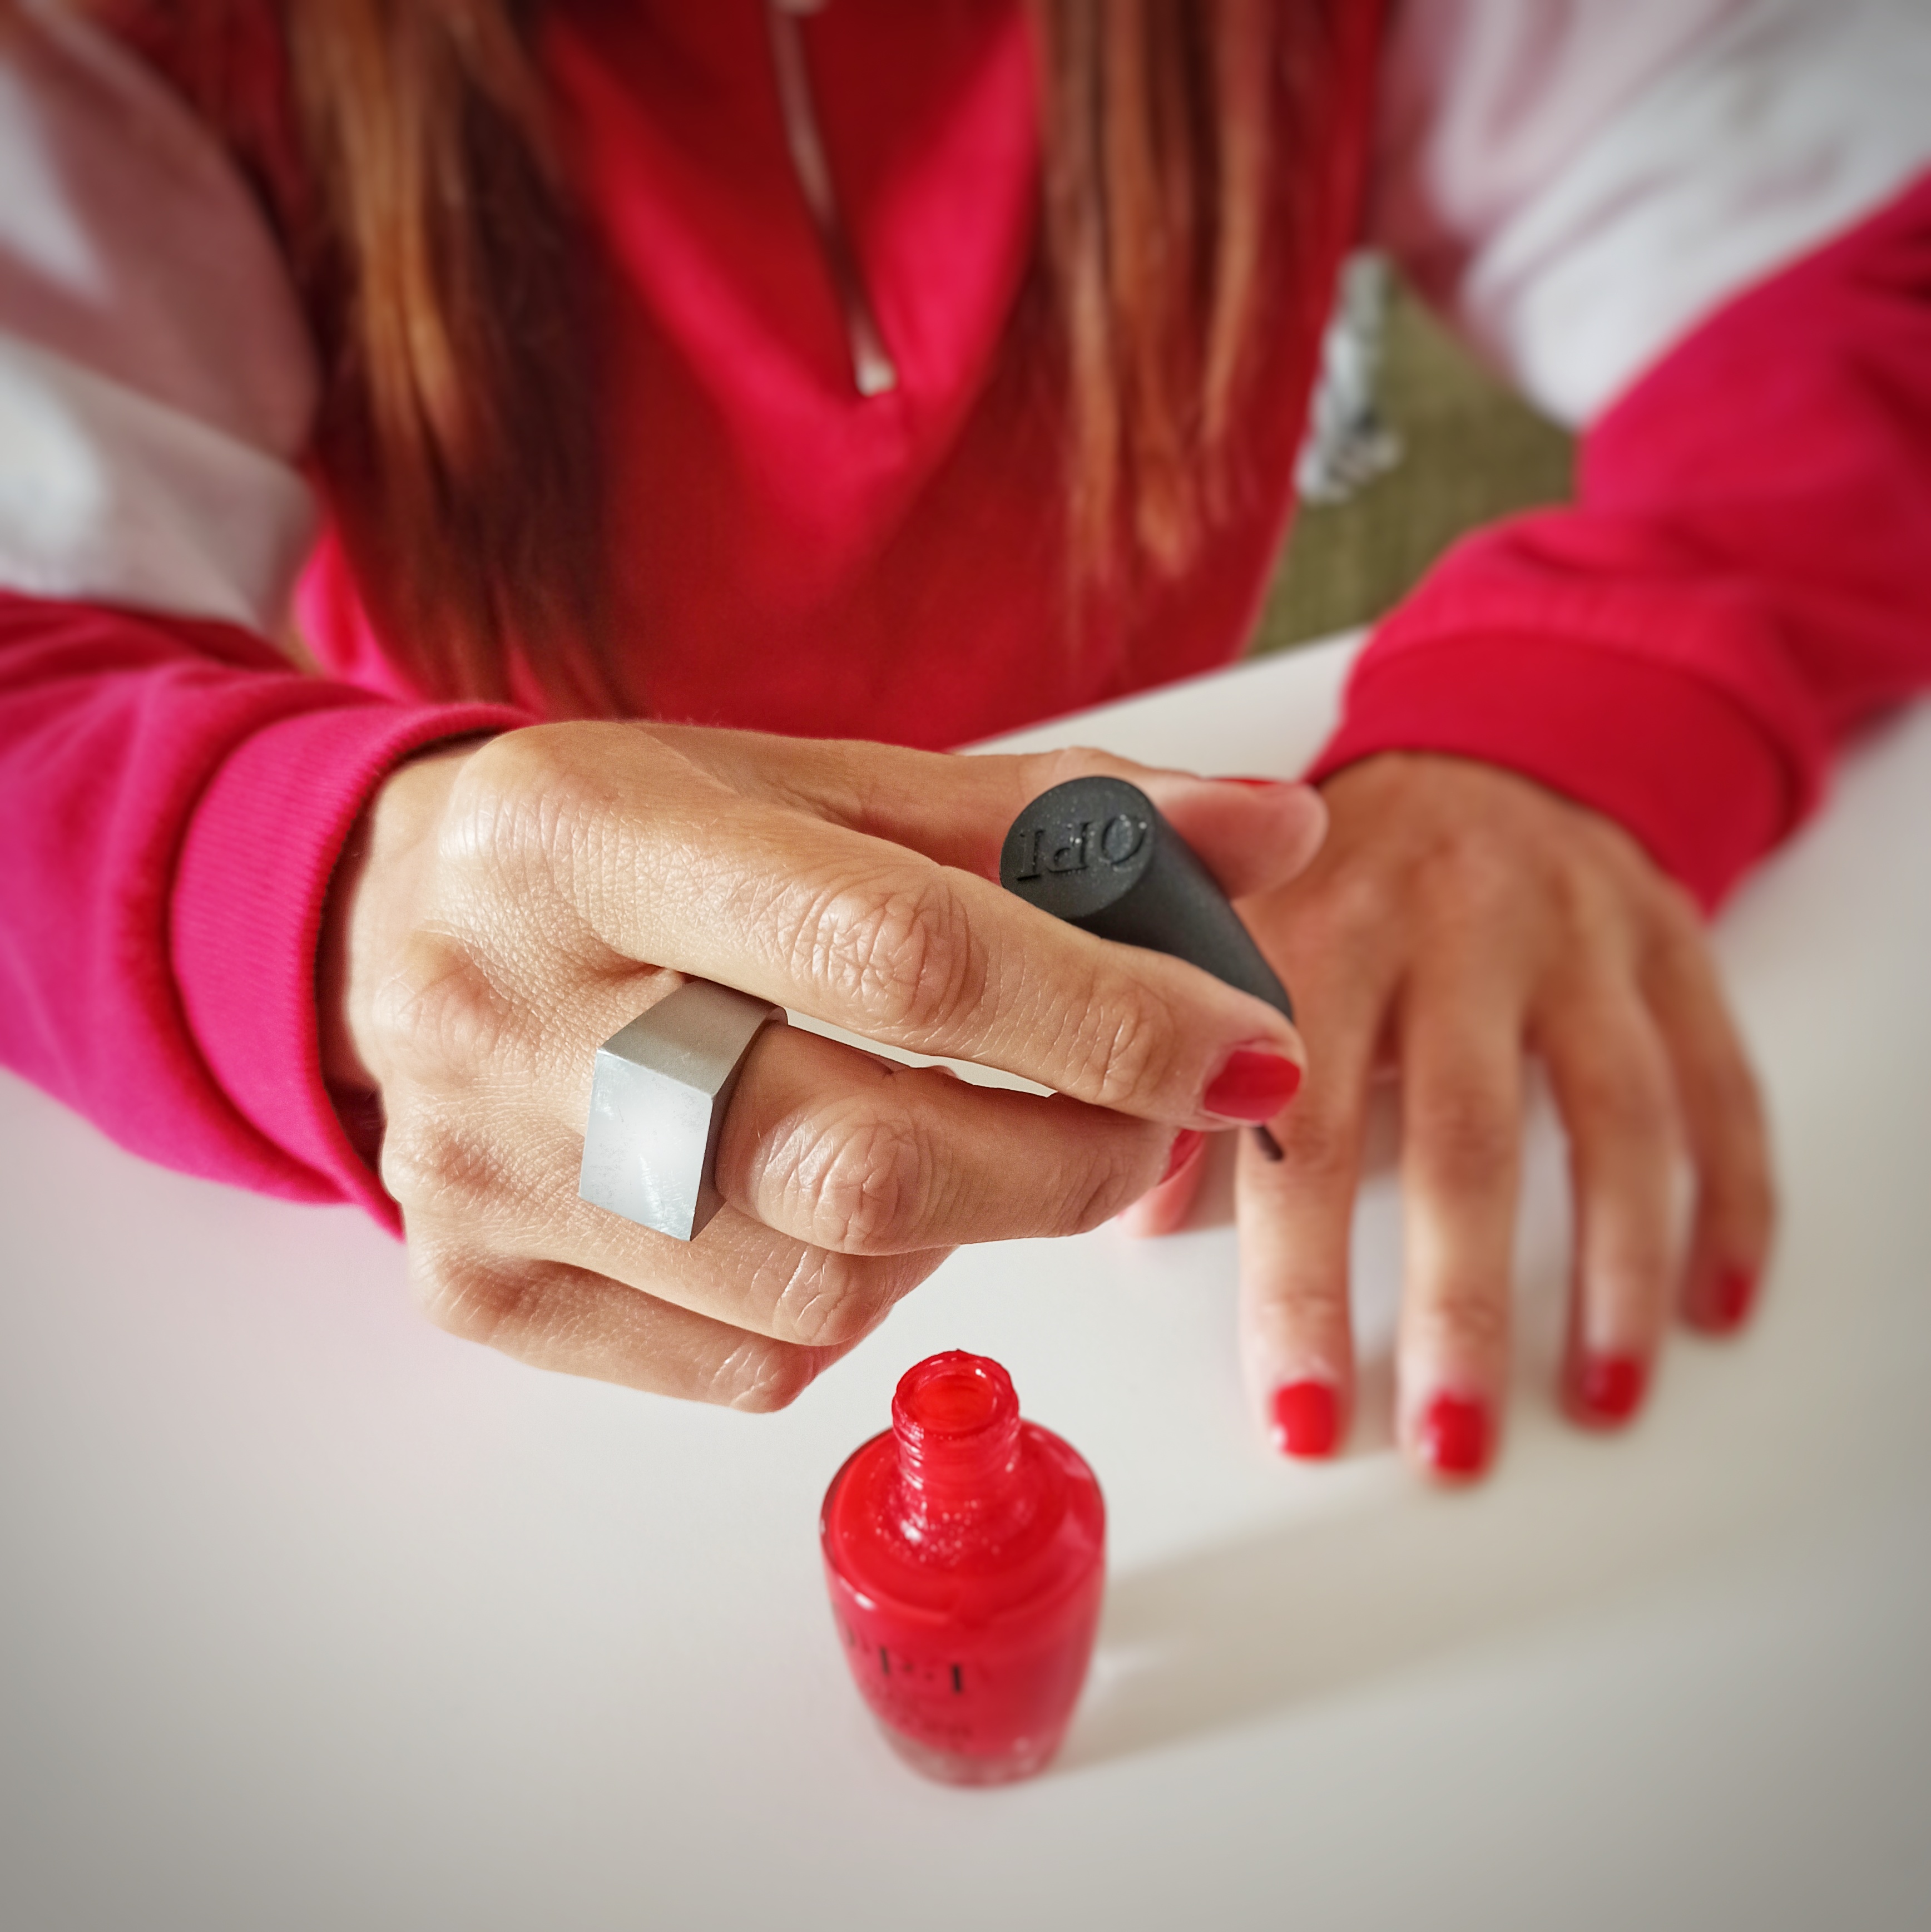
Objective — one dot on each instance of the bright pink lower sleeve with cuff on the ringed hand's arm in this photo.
(175, 805)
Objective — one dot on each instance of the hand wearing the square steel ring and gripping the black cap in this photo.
(511, 905)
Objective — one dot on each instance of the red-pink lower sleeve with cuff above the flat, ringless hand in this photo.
(1747, 575)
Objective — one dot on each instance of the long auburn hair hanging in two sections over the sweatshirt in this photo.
(405, 148)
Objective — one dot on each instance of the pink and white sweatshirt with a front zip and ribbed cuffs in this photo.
(1739, 584)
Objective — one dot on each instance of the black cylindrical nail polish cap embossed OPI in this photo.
(1098, 855)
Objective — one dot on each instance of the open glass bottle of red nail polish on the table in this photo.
(966, 1554)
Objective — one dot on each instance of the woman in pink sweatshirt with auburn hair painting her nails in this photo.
(905, 374)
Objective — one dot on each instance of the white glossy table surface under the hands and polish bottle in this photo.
(314, 1618)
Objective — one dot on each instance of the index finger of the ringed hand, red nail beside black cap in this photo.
(880, 940)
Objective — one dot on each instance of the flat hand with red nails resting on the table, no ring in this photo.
(1457, 921)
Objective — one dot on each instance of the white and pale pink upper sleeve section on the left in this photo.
(157, 384)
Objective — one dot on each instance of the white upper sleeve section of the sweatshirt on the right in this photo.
(1581, 183)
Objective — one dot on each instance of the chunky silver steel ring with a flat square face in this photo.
(658, 1106)
